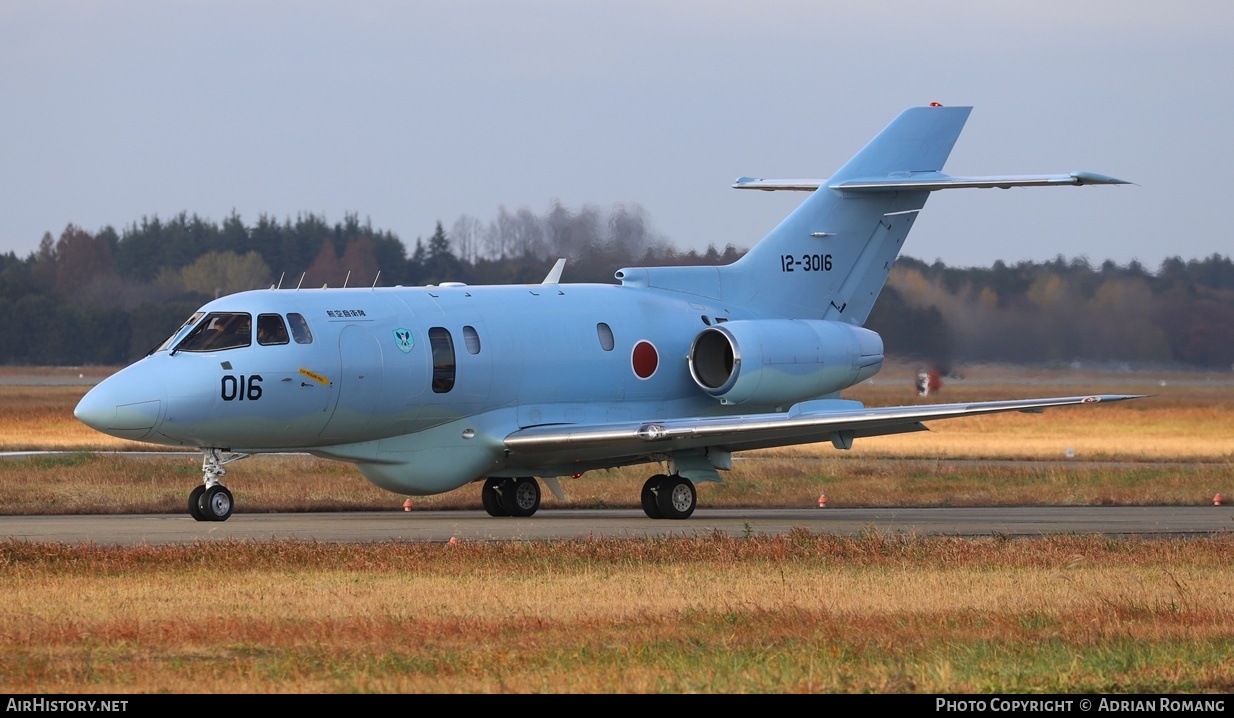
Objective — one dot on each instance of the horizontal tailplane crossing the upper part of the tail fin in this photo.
(930, 182)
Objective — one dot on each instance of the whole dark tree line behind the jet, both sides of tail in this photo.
(109, 297)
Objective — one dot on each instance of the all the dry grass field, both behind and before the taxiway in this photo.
(792, 614)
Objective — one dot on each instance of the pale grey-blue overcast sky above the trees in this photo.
(410, 113)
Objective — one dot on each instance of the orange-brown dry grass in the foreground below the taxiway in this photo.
(794, 614)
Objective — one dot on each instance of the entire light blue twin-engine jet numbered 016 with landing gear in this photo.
(429, 389)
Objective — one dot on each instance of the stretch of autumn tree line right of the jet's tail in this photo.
(1064, 310)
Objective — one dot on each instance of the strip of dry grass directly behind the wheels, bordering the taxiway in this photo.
(149, 484)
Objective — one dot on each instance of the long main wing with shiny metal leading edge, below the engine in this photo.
(839, 421)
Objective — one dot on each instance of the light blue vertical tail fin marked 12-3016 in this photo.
(831, 257)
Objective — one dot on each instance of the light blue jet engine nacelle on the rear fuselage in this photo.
(782, 362)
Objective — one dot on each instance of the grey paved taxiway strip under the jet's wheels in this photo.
(560, 525)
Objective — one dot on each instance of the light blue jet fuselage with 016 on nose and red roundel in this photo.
(387, 378)
